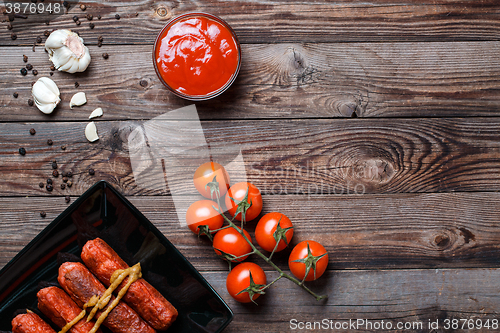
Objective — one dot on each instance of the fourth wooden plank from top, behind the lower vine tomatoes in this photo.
(429, 230)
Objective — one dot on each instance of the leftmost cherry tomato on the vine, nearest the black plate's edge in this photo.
(202, 212)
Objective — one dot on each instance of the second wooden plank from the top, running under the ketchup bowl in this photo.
(279, 80)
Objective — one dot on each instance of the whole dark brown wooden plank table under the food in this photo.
(390, 108)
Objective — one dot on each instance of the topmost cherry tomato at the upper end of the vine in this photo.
(205, 175)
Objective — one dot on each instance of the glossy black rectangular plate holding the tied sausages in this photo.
(105, 213)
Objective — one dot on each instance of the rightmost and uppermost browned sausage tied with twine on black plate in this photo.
(102, 260)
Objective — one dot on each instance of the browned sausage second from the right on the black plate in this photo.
(81, 285)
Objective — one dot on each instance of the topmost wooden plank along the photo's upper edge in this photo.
(287, 21)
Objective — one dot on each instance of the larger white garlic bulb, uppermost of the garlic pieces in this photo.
(67, 51)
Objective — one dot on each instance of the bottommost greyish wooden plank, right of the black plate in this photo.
(412, 298)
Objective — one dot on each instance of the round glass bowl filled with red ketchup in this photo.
(197, 56)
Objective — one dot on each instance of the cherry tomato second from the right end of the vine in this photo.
(266, 229)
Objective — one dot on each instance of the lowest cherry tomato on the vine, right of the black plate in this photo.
(239, 279)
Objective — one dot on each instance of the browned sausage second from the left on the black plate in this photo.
(61, 309)
